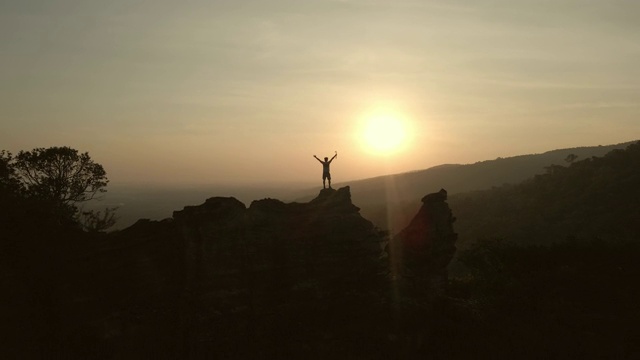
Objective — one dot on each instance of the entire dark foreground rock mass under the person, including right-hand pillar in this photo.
(220, 280)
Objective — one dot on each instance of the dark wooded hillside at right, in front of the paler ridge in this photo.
(596, 198)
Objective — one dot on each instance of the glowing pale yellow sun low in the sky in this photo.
(384, 133)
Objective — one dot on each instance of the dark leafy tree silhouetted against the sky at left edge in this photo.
(44, 186)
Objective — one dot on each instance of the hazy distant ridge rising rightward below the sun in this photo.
(390, 201)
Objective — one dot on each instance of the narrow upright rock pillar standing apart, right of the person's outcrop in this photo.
(420, 253)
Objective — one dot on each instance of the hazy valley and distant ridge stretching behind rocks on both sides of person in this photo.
(389, 201)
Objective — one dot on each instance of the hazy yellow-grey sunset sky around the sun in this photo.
(222, 91)
